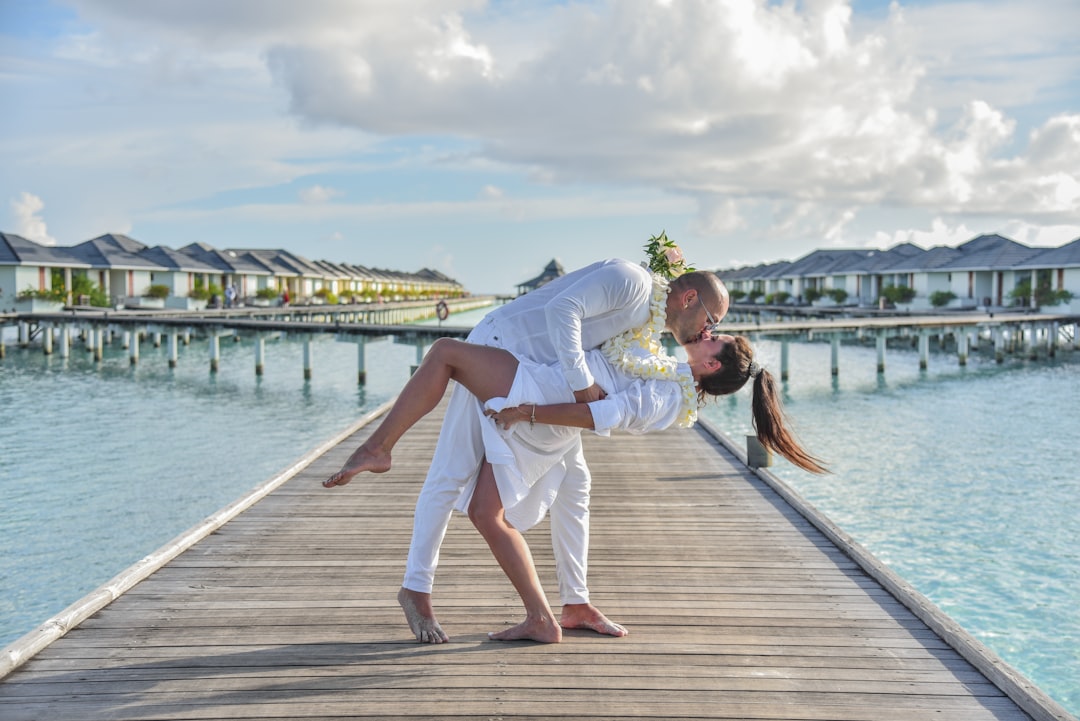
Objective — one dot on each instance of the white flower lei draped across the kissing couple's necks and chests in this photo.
(640, 353)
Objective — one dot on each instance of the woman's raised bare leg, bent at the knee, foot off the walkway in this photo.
(484, 372)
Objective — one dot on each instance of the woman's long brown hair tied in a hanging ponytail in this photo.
(737, 368)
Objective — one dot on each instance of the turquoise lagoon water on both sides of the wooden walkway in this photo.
(964, 481)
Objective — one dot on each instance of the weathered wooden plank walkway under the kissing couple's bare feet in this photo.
(739, 608)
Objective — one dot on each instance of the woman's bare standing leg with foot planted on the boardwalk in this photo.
(510, 550)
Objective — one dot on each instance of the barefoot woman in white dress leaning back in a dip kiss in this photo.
(537, 424)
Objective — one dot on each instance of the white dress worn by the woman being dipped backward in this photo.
(530, 464)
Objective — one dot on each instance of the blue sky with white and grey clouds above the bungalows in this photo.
(484, 140)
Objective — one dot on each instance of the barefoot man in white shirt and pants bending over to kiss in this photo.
(556, 323)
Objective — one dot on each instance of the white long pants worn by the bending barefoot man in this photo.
(460, 454)
